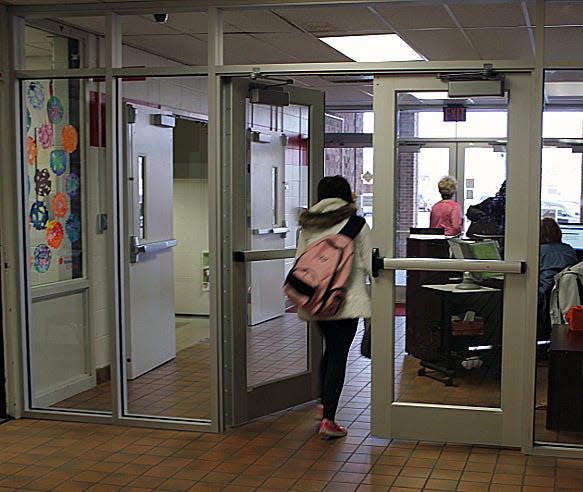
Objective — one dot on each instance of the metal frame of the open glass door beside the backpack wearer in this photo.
(241, 402)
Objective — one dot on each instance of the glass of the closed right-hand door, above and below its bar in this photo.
(451, 332)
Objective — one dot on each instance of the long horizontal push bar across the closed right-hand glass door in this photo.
(438, 264)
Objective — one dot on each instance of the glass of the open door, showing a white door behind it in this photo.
(276, 339)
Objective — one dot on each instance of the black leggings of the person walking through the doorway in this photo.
(338, 336)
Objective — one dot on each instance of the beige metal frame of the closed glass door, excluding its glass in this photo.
(504, 426)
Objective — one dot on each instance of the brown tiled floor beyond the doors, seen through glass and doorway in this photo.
(277, 348)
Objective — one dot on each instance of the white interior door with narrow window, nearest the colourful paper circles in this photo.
(150, 335)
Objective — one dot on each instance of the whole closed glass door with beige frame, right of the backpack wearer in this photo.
(451, 374)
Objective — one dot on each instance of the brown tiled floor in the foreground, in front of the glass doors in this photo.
(278, 452)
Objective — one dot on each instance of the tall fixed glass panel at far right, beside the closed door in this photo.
(557, 416)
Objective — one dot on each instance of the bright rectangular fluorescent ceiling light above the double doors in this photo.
(377, 47)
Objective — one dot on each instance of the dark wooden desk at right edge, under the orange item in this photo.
(565, 382)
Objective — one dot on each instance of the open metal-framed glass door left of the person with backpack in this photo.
(276, 147)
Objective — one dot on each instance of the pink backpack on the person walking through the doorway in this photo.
(316, 281)
